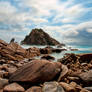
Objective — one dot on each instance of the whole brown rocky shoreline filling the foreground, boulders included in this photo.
(21, 72)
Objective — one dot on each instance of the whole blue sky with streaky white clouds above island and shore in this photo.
(68, 21)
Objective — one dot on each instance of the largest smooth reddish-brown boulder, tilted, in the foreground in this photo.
(37, 71)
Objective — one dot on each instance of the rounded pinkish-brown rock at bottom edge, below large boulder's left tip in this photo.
(14, 87)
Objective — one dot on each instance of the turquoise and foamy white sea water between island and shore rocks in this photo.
(81, 50)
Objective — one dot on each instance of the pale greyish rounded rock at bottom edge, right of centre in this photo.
(52, 87)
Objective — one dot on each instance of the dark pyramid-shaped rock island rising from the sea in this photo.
(39, 37)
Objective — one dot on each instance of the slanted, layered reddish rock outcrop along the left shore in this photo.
(15, 52)
